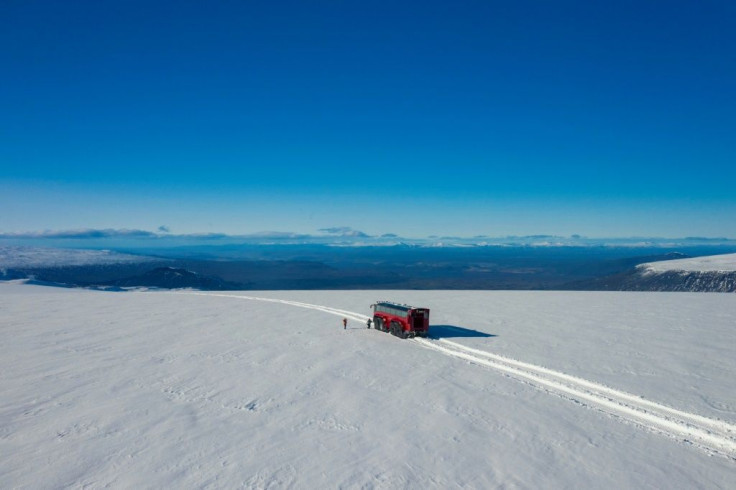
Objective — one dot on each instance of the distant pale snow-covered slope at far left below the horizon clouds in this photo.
(60, 257)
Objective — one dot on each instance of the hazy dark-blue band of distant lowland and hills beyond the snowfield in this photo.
(323, 267)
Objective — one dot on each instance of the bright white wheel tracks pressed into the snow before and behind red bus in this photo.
(713, 436)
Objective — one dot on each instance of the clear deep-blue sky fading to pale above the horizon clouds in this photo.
(417, 118)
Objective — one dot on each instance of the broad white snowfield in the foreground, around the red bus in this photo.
(188, 389)
